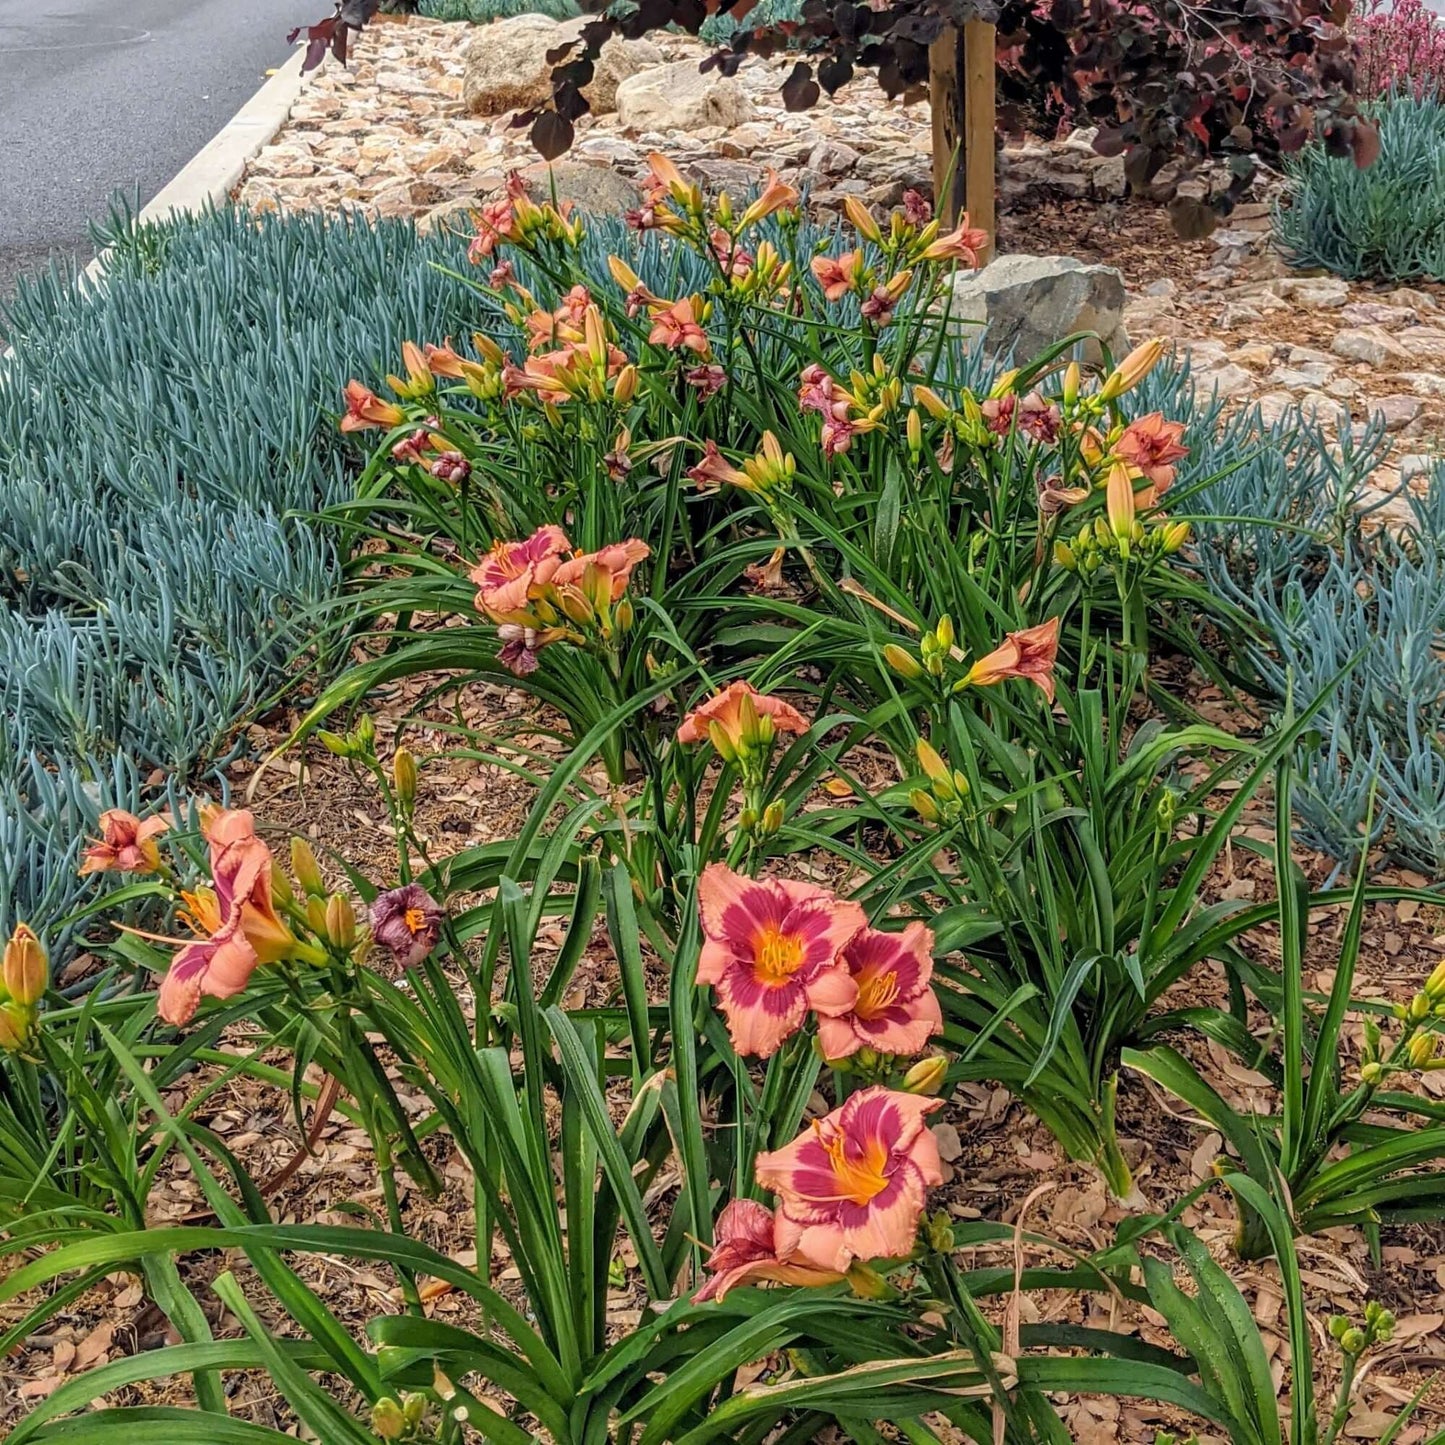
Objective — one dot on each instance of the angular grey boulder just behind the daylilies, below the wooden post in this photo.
(1031, 303)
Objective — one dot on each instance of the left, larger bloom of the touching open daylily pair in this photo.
(771, 950)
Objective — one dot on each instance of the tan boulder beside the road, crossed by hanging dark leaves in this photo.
(506, 66)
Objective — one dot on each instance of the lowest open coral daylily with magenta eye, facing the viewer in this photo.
(853, 1187)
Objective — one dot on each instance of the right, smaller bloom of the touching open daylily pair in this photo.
(897, 1011)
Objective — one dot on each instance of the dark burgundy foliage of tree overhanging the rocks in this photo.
(1163, 80)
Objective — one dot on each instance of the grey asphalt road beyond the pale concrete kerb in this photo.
(103, 96)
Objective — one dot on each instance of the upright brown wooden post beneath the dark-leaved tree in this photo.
(962, 92)
